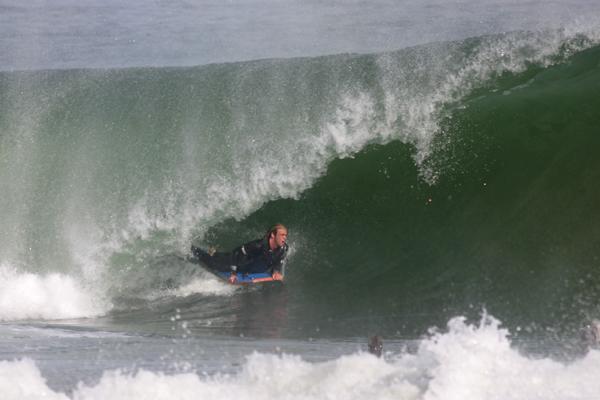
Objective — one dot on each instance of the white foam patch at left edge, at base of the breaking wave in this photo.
(26, 295)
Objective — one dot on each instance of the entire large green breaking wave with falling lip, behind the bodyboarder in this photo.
(418, 184)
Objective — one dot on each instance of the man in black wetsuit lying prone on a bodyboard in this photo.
(265, 254)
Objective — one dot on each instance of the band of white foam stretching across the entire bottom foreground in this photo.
(468, 362)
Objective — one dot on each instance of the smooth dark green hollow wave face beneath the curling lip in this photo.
(510, 225)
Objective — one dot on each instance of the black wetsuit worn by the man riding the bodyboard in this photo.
(253, 257)
